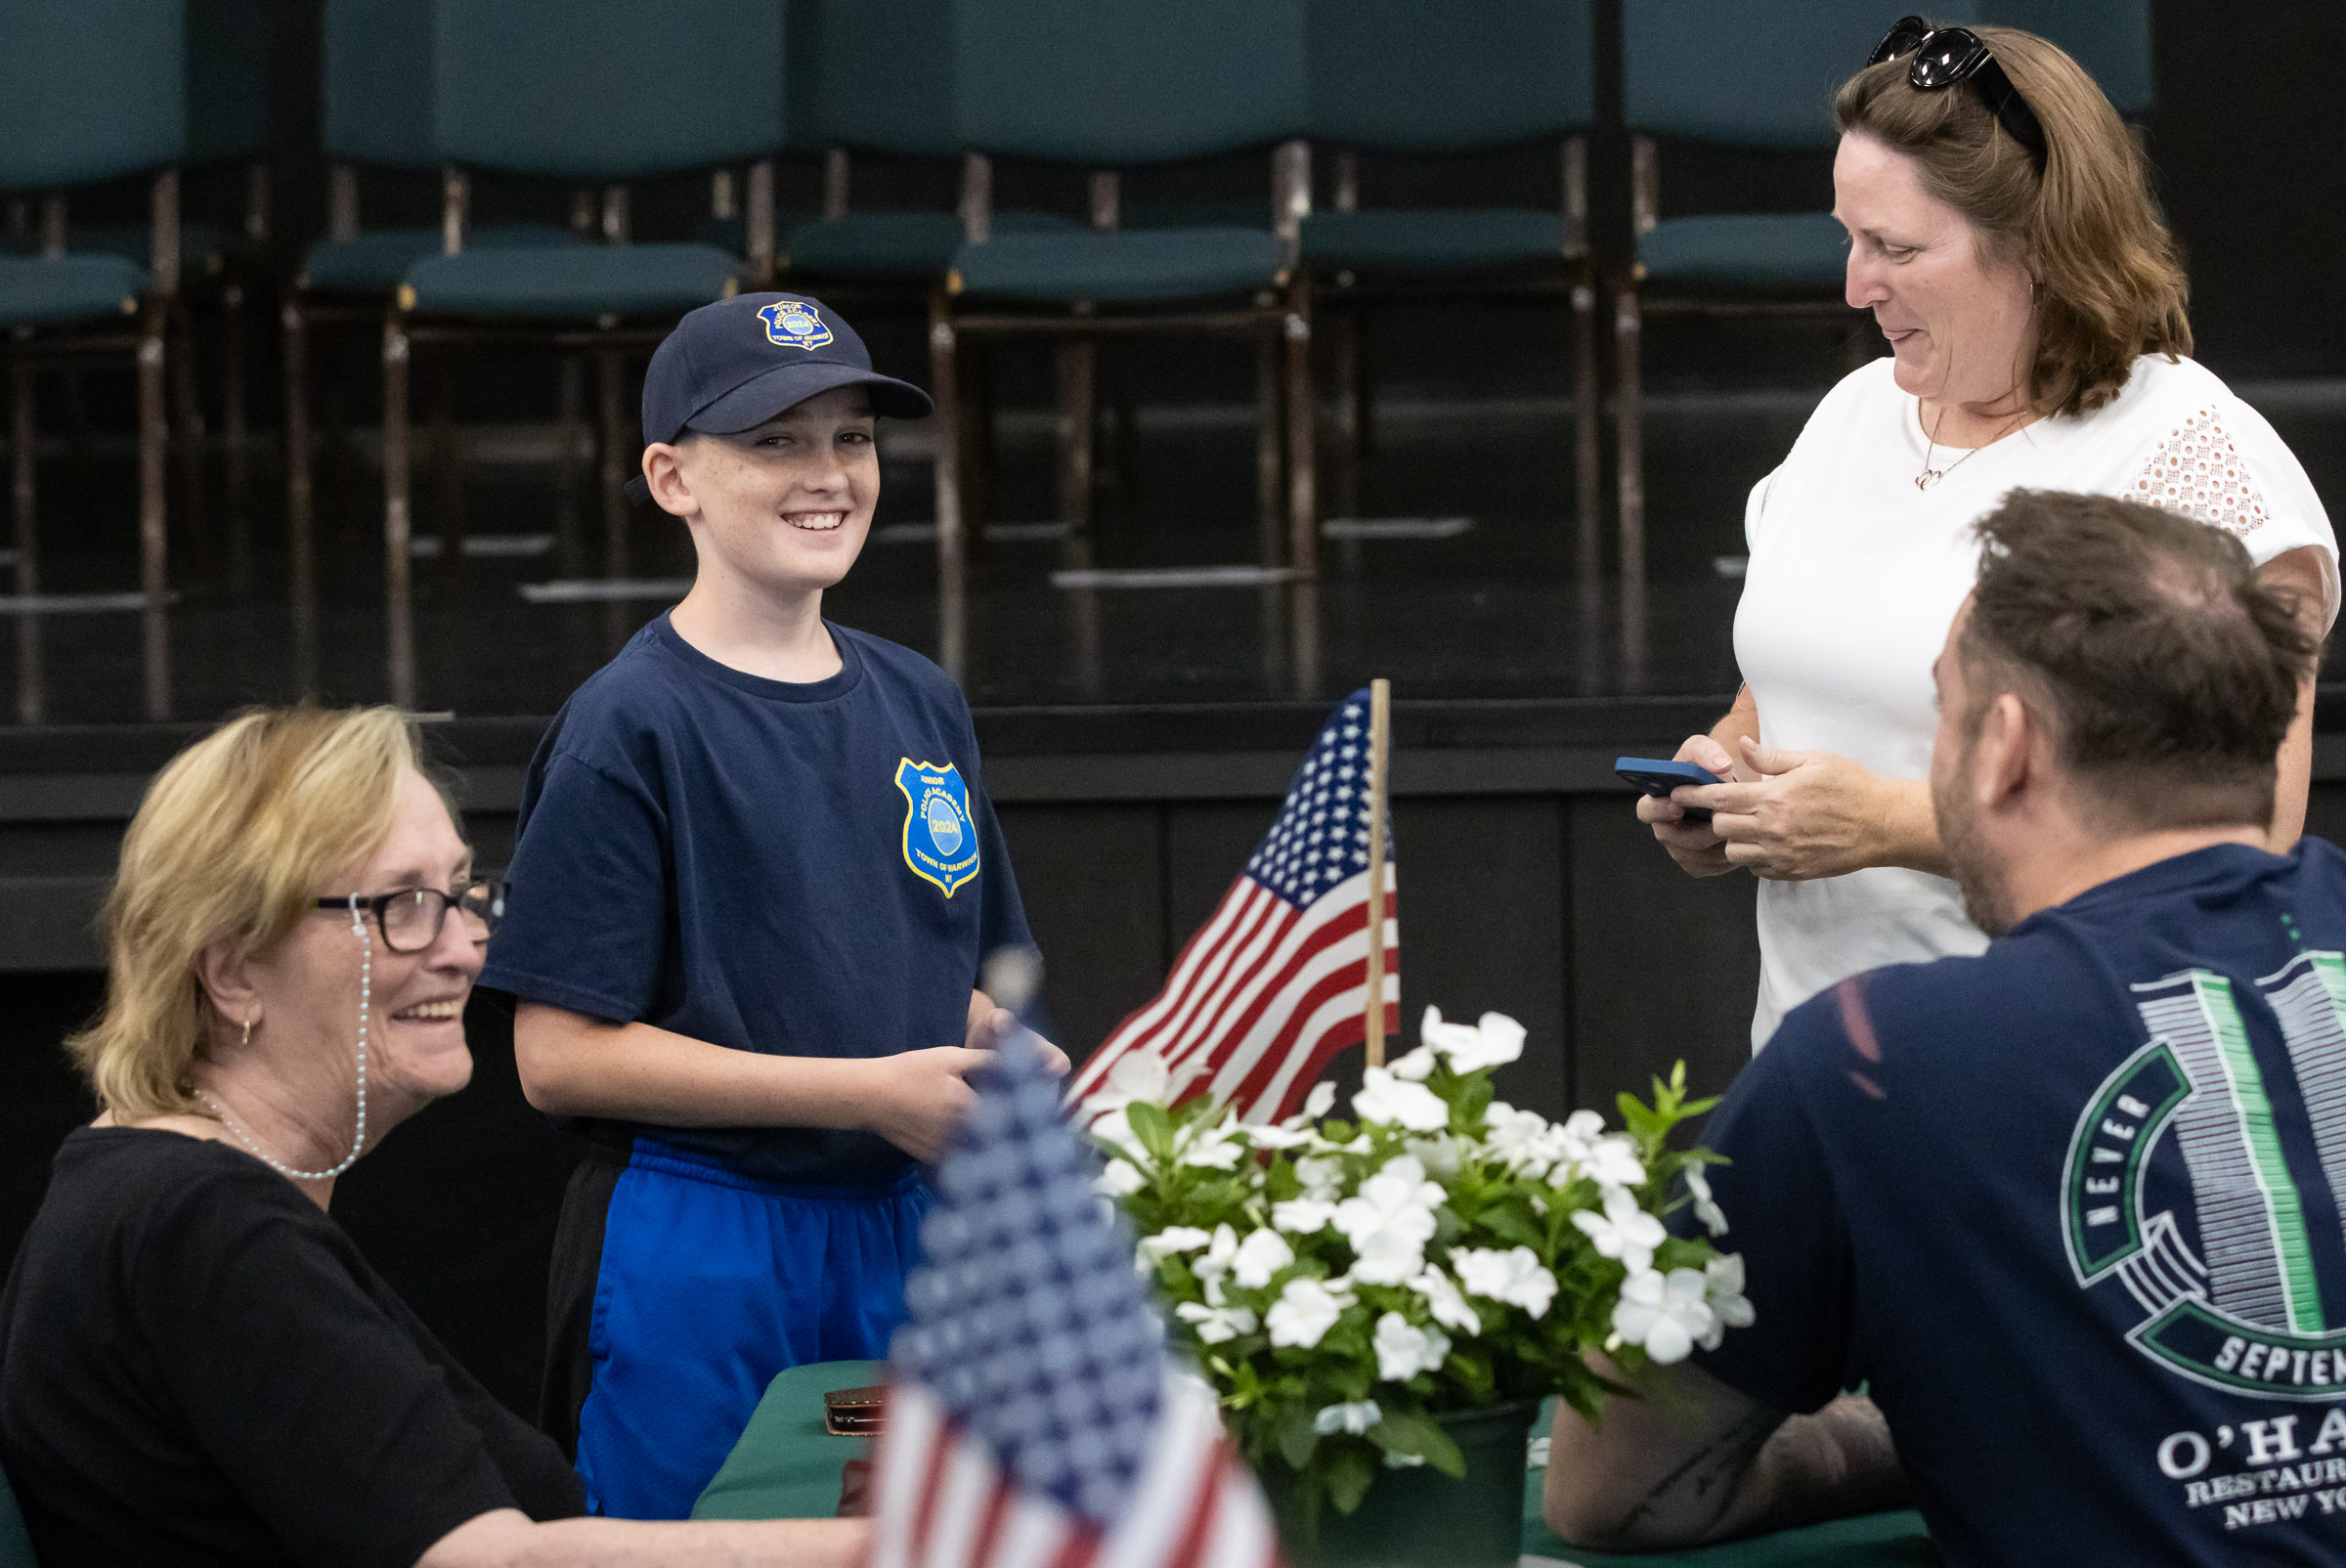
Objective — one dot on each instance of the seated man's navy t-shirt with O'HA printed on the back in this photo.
(2073, 1210)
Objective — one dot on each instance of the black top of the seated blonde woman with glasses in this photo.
(198, 1367)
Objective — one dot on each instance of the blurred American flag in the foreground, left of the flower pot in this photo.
(1036, 1419)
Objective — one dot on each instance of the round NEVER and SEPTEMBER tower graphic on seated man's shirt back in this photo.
(2223, 1285)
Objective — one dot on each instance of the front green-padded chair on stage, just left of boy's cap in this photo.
(621, 90)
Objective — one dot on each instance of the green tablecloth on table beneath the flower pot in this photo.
(789, 1468)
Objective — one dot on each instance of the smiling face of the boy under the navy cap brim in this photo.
(780, 508)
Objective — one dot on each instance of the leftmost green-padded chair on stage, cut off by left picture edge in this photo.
(93, 90)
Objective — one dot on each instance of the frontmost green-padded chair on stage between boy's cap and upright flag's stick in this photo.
(1108, 86)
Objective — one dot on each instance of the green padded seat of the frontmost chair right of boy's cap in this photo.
(1127, 266)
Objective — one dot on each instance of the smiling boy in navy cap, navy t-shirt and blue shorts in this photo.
(752, 893)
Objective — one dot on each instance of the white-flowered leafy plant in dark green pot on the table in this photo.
(1383, 1302)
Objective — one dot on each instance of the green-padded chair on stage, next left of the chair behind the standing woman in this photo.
(1399, 79)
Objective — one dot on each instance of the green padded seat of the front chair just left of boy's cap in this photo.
(588, 281)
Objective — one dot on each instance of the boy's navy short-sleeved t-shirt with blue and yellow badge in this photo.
(804, 870)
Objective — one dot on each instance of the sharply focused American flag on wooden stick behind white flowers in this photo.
(1275, 985)
